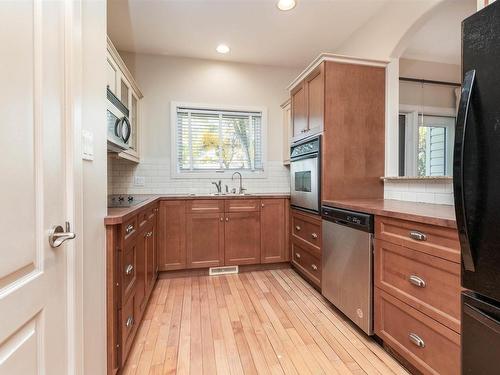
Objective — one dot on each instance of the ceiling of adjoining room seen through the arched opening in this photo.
(439, 39)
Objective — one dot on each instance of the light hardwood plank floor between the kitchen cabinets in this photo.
(261, 322)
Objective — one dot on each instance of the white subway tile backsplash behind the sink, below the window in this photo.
(122, 179)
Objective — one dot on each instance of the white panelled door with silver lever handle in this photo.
(34, 188)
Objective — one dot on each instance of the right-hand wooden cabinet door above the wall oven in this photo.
(315, 101)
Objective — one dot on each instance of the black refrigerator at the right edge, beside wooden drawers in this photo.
(476, 182)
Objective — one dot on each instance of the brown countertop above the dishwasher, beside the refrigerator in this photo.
(435, 214)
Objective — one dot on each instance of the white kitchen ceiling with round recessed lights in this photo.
(256, 31)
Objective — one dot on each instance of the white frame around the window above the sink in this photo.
(215, 174)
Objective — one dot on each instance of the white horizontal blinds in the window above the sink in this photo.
(209, 140)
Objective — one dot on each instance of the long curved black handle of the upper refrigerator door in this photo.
(458, 170)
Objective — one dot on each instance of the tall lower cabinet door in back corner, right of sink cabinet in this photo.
(273, 231)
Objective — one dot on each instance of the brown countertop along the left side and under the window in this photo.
(119, 214)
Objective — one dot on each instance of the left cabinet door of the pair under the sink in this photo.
(204, 240)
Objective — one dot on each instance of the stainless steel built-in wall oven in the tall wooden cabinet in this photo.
(305, 171)
